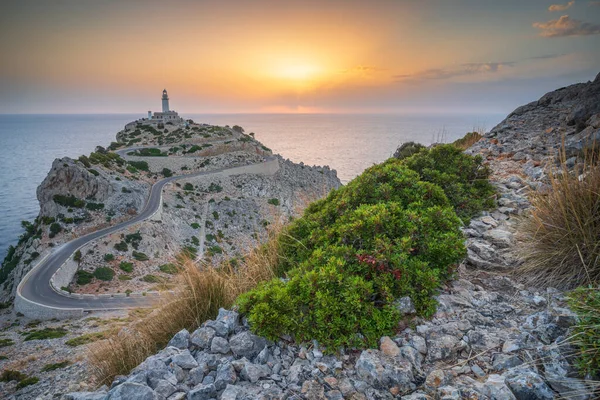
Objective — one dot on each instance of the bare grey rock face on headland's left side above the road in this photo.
(68, 177)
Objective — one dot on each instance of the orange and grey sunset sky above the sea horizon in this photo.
(288, 56)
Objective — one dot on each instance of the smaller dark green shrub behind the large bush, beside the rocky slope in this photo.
(463, 178)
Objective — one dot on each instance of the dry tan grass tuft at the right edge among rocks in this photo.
(560, 239)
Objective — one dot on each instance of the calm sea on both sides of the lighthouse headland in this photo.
(348, 143)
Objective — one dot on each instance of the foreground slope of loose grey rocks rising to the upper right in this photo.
(491, 337)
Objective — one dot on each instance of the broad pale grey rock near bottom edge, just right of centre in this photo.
(384, 372)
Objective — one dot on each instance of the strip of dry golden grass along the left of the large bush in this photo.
(201, 291)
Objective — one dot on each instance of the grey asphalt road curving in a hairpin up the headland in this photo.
(36, 286)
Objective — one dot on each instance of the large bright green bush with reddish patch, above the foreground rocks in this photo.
(385, 235)
